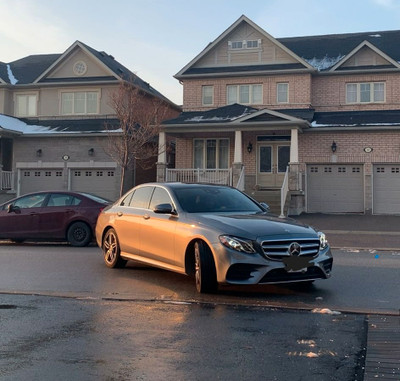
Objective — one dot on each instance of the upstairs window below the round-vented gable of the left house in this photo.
(80, 102)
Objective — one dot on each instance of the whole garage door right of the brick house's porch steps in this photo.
(335, 188)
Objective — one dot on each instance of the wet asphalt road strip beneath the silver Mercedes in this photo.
(362, 281)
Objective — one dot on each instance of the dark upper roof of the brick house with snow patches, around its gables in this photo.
(318, 53)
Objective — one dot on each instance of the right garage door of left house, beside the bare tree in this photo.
(99, 181)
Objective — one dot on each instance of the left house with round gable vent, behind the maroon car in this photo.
(55, 121)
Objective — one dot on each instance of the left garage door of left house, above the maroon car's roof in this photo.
(33, 180)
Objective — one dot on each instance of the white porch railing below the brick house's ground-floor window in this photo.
(190, 175)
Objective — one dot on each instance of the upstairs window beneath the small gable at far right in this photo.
(366, 92)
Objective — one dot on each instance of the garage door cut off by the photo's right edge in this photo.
(386, 189)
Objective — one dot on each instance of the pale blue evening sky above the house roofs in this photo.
(157, 38)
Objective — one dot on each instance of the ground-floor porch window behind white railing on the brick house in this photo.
(211, 153)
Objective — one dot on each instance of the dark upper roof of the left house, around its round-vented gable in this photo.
(34, 68)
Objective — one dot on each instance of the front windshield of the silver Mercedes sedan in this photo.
(210, 199)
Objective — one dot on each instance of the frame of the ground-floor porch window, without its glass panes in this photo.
(218, 153)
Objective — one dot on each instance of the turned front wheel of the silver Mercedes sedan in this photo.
(205, 274)
